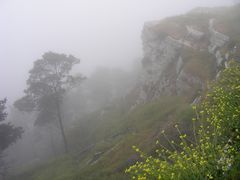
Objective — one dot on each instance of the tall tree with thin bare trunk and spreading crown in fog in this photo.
(48, 81)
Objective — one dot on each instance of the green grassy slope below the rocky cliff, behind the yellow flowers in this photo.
(112, 136)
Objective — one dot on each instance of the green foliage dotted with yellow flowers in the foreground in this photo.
(214, 152)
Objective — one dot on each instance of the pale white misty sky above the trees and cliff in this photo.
(99, 32)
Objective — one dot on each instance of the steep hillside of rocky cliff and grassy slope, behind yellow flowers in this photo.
(181, 55)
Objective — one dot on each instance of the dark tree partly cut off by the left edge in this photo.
(8, 134)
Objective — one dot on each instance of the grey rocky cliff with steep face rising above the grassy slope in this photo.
(182, 53)
